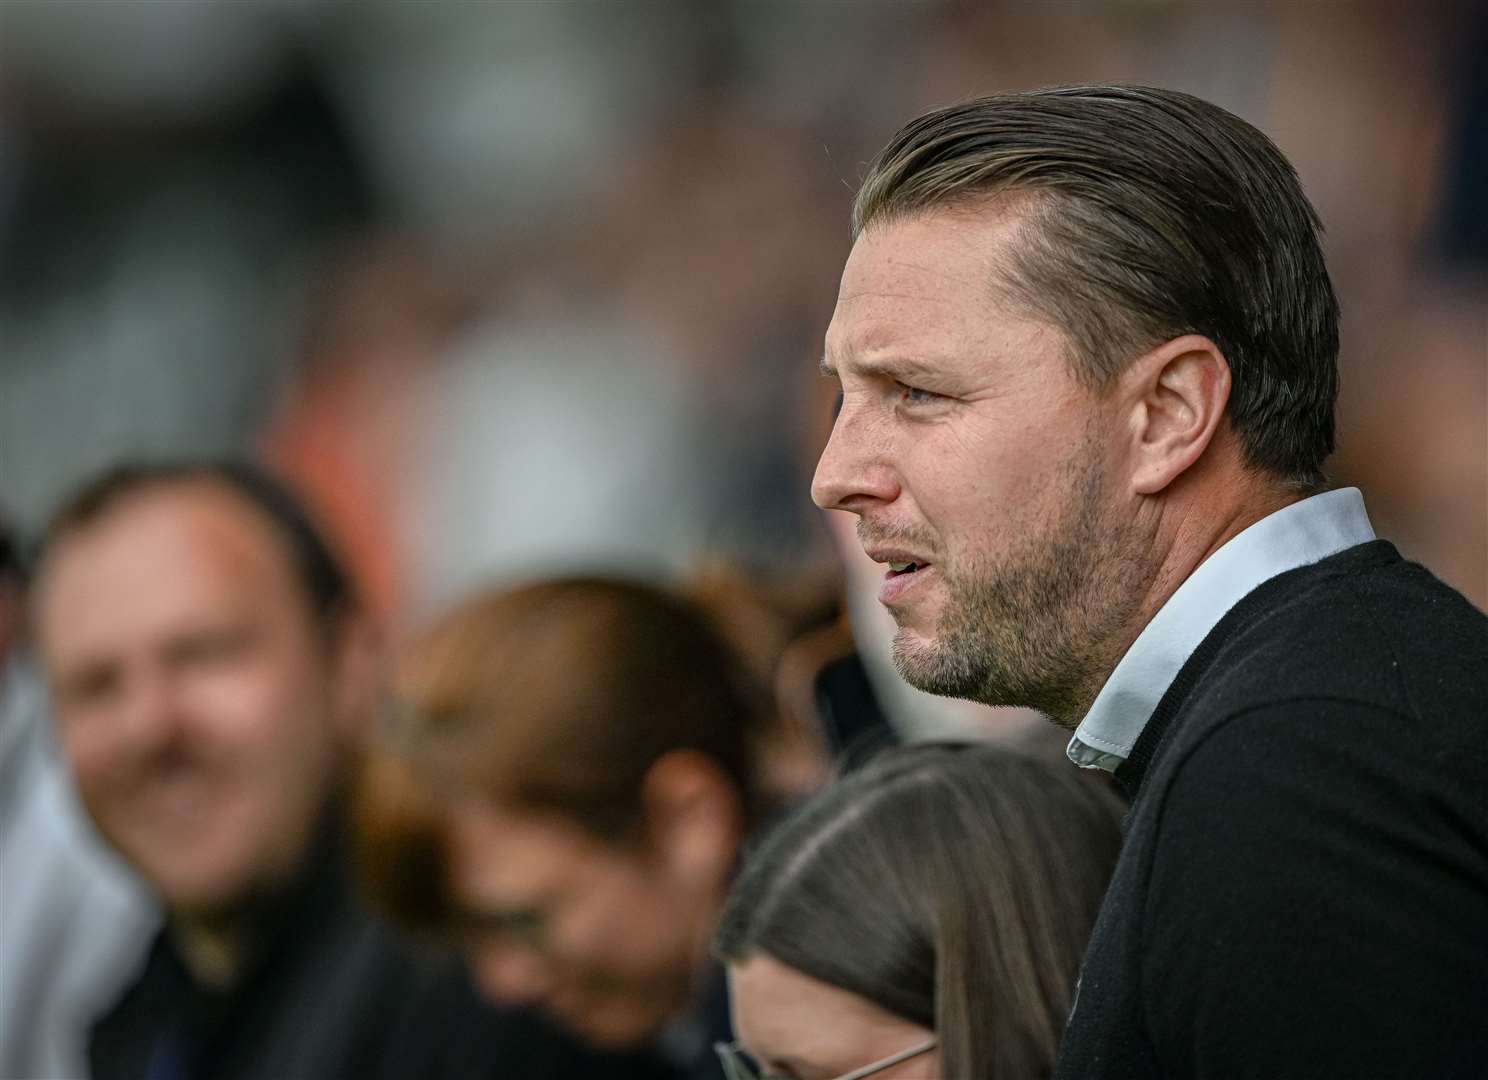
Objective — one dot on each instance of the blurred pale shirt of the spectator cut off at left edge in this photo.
(72, 922)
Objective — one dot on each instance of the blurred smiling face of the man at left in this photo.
(196, 695)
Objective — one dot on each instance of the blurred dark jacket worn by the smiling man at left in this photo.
(330, 993)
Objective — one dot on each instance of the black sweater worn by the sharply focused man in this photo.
(1304, 886)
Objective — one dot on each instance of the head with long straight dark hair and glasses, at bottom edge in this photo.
(946, 892)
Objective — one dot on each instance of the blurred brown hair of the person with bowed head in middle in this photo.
(554, 697)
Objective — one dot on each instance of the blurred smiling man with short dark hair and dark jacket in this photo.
(212, 676)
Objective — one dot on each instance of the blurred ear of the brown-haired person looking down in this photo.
(694, 819)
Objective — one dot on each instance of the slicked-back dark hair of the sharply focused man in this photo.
(1147, 215)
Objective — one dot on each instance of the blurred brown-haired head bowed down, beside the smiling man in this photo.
(575, 780)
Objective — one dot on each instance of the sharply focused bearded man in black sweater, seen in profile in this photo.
(1087, 346)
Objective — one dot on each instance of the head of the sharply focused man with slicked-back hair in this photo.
(1075, 325)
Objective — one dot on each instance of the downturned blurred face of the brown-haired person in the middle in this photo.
(594, 933)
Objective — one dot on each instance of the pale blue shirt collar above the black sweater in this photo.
(1294, 536)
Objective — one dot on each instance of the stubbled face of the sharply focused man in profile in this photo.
(980, 469)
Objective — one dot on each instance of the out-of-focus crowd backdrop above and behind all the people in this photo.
(525, 288)
